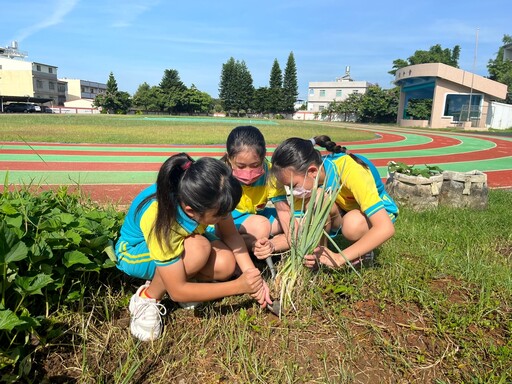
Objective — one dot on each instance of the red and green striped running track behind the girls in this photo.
(117, 172)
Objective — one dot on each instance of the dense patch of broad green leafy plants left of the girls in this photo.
(52, 246)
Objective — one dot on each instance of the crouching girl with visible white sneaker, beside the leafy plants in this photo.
(163, 241)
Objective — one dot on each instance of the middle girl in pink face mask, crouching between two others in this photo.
(264, 228)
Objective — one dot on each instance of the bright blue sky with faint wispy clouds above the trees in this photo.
(137, 40)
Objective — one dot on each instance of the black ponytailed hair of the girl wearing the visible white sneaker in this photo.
(203, 185)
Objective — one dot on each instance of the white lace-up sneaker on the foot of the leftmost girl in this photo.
(146, 316)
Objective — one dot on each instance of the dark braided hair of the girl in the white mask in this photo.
(299, 153)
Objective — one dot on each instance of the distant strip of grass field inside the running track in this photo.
(119, 129)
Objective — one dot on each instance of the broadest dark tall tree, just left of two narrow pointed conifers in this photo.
(236, 87)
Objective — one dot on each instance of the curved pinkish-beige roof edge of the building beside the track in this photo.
(452, 74)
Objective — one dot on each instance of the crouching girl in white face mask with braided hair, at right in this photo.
(364, 212)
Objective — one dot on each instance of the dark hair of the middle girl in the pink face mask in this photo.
(242, 138)
